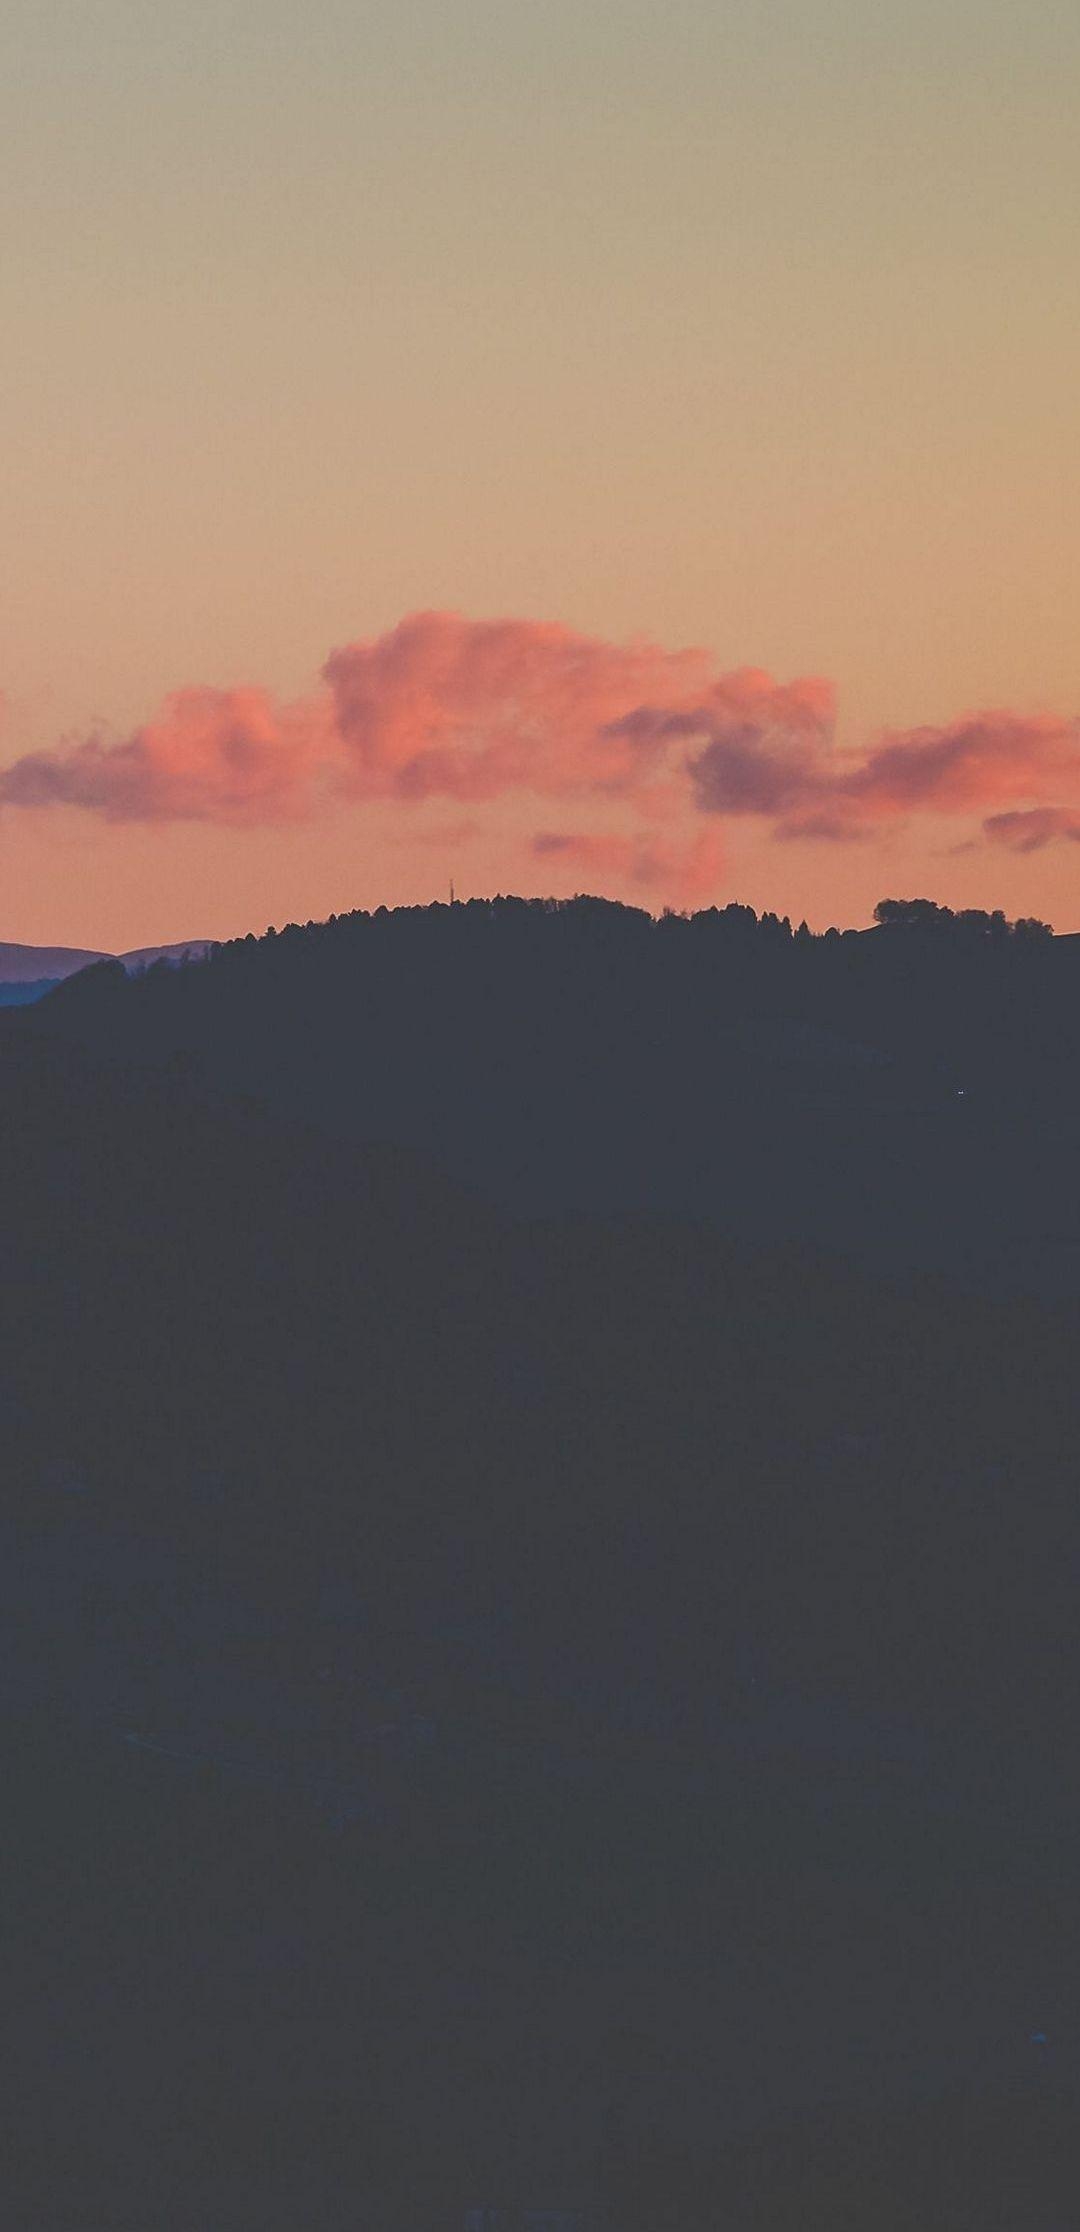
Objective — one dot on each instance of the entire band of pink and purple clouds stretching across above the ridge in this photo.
(443, 709)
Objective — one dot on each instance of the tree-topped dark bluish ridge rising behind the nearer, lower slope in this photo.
(907, 1095)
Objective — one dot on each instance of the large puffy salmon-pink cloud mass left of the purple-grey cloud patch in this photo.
(438, 706)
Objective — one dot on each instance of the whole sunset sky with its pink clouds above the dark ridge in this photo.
(559, 448)
